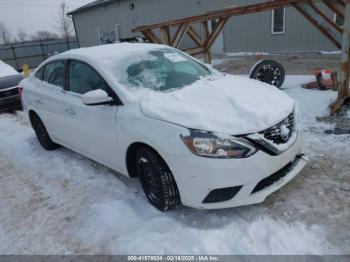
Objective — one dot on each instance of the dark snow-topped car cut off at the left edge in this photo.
(9, 91)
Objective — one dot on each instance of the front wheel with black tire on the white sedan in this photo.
(157, 180)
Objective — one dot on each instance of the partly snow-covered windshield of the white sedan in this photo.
(162, 70)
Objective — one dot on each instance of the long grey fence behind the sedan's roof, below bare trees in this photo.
(34, 52)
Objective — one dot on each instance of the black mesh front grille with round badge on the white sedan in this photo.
(275, 134)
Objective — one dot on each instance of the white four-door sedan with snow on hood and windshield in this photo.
(191, 134)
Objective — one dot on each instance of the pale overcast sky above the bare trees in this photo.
(33, 15)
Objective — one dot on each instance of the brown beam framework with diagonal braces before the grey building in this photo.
(197, 28)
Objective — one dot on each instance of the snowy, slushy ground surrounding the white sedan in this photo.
(62, 203)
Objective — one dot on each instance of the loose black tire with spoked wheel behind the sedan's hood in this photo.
(270, 72)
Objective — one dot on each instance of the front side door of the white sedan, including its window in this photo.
(91, 129)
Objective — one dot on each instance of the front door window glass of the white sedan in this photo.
(83, 78)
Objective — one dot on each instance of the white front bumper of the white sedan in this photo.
(197, 177)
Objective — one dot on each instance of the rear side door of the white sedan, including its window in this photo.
(49, 97)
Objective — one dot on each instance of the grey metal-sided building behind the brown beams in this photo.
(282, 30)
